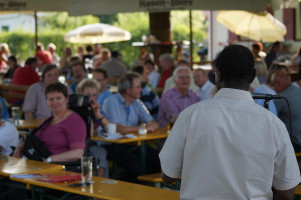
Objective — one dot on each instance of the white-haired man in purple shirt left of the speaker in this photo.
(176, 99)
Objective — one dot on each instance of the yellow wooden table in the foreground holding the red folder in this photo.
(104, 188)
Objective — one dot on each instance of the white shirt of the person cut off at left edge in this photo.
(9, 136)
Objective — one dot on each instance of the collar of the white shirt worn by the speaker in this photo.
(234, 94)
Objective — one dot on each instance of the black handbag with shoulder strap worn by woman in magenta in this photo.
(34, 149)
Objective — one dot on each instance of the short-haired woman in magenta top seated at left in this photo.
(65, 134)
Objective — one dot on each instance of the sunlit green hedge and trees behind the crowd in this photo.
(53, 26)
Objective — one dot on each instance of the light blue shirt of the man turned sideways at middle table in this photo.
(116, 110)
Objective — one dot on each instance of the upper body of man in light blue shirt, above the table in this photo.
(126, 109)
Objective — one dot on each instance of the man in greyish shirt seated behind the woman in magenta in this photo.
(35, 104)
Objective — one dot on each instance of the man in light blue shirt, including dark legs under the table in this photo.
(127, 111)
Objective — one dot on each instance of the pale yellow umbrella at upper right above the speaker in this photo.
(259, 26)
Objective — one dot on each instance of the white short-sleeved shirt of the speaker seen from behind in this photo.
(229, 148)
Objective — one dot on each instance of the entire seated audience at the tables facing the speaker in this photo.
(136, 102)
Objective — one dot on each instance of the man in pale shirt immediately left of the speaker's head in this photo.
(200, 78)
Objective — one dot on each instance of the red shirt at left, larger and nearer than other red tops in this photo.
(25, 76)
